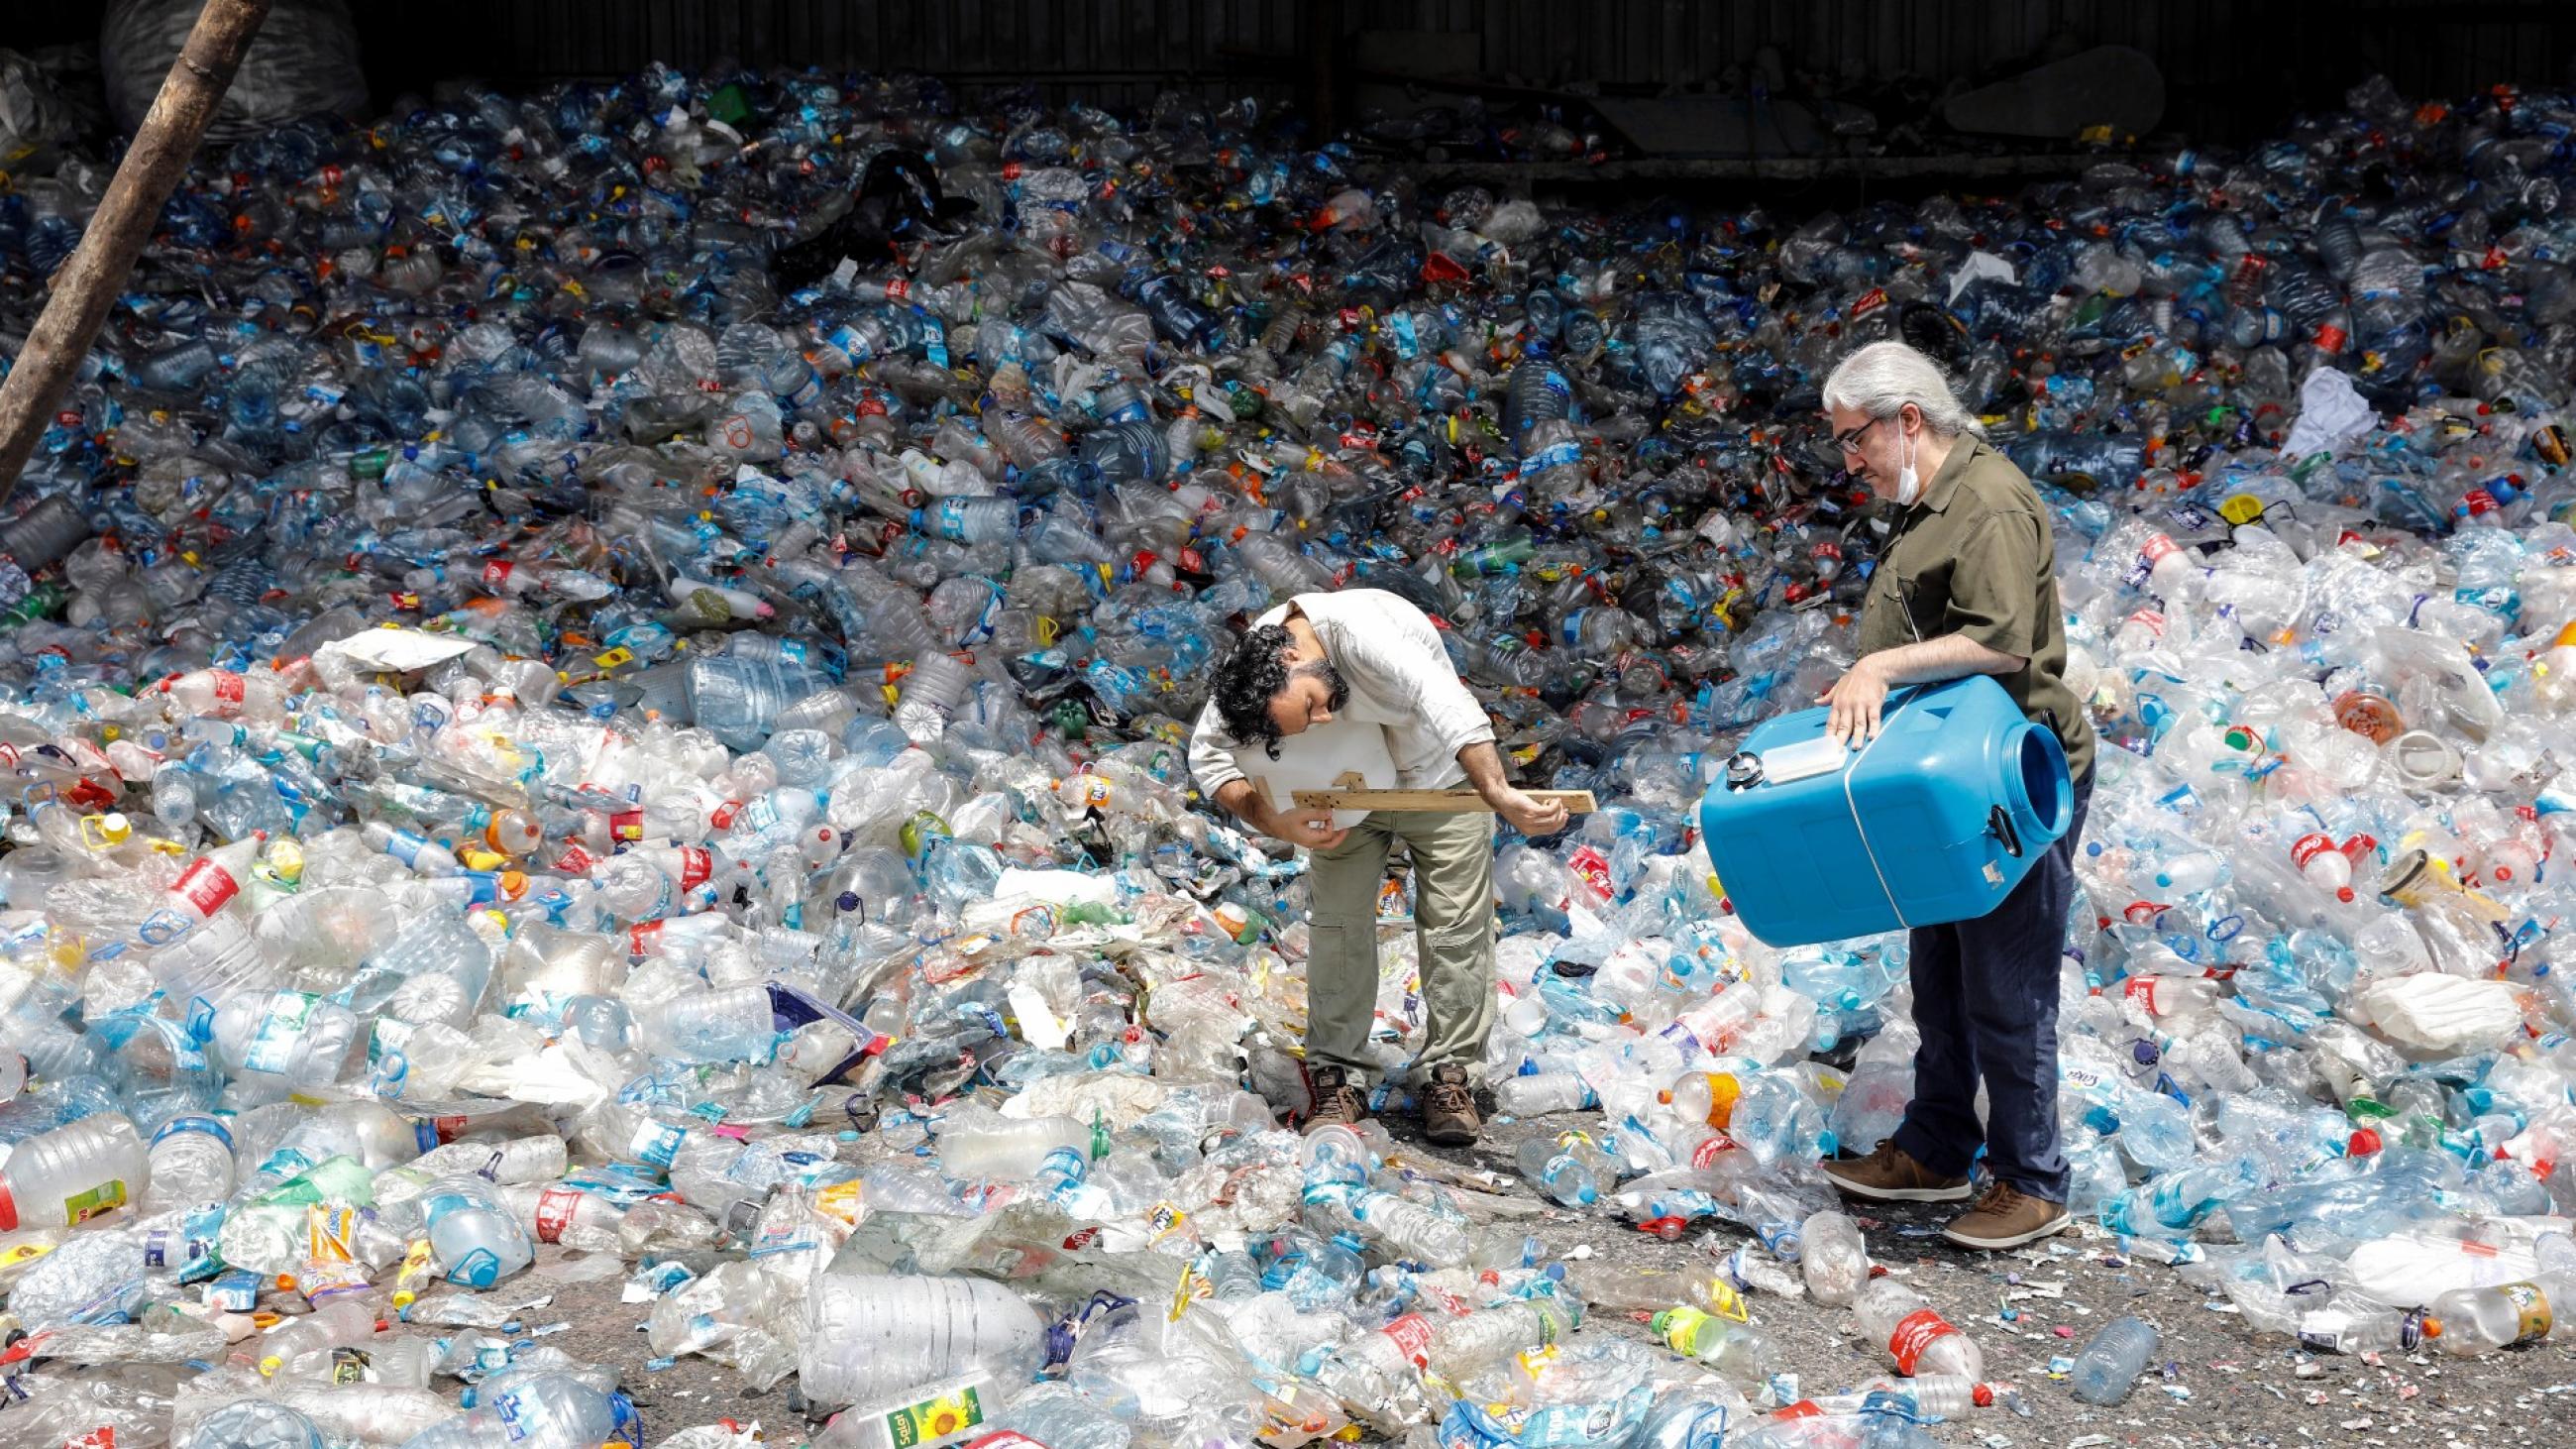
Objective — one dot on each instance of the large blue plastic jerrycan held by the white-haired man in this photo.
(1933, 821)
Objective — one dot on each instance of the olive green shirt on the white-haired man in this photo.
(1975, 558)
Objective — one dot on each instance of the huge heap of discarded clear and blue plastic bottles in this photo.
(532, 741)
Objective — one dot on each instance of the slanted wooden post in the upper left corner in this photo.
(89, 285)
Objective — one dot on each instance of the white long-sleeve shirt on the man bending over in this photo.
(1400, 679)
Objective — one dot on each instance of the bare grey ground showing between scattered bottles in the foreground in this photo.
(2219, 1383)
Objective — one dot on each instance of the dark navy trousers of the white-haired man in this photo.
(1987, 1007)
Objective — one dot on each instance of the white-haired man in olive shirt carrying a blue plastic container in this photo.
(1964, 587)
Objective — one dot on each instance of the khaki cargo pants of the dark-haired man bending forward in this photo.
(1454, 932)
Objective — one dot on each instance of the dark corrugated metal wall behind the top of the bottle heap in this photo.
(2235, 68)
